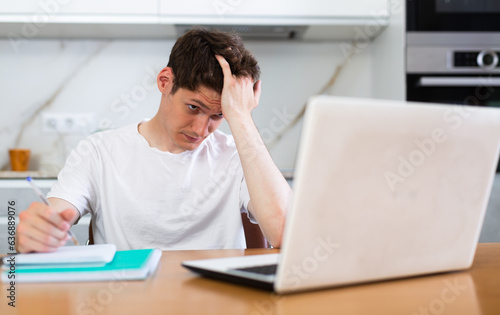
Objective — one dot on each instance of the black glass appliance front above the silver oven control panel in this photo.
(453, 15)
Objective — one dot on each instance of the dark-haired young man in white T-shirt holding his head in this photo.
(175, 181)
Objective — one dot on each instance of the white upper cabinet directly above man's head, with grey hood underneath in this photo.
(282, 19)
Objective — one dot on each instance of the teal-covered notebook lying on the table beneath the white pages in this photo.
(126, 265)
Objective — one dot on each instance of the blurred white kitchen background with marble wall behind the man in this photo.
(69, 68)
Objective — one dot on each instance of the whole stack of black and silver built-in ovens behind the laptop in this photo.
(453, 51)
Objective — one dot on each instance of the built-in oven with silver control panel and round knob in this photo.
(455, 68)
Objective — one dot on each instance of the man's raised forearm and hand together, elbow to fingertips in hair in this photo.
(269, 191)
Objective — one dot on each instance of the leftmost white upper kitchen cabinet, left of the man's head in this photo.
(30, 19)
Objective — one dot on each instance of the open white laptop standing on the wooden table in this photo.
(383, 190)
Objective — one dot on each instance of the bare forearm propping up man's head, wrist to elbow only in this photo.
(268, 189)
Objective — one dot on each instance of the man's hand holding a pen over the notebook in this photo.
(41, 229)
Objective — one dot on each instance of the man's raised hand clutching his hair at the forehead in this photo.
(240, 95)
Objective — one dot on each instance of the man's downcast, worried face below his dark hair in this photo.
(189, 117)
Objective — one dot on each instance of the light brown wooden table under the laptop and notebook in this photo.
(175, 290)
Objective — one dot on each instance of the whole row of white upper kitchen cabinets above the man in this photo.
(314, 19)
